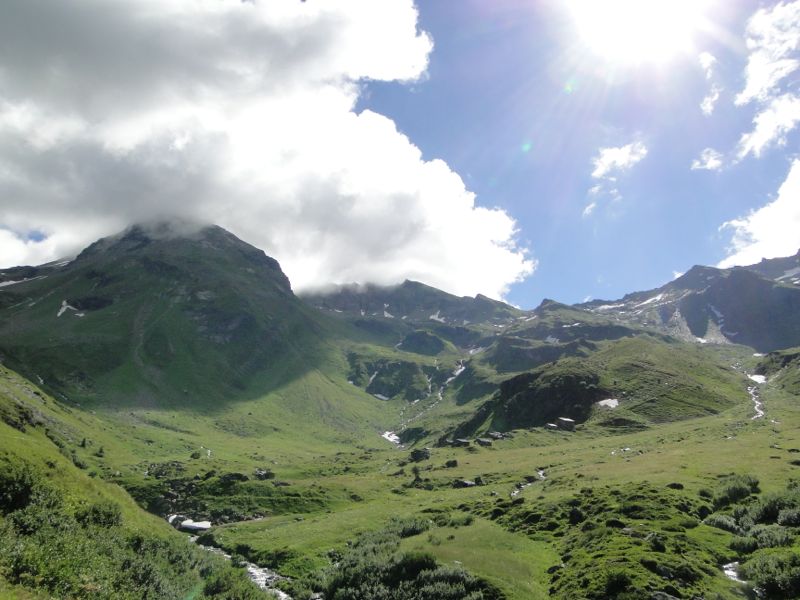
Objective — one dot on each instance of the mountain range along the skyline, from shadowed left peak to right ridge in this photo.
(158, 315)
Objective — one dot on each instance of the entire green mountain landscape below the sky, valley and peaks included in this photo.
(321, 435)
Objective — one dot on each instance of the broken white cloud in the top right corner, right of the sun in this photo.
(773, 41)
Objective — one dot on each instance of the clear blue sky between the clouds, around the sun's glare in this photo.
(520, 108)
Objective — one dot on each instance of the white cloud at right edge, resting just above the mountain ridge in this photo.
(770, 231)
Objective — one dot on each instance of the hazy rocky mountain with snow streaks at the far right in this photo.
(757, 306)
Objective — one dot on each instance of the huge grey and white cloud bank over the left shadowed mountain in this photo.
(241, 114)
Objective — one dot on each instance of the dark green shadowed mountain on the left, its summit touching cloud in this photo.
(155, 316)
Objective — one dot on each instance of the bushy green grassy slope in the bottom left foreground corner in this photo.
(66, 534)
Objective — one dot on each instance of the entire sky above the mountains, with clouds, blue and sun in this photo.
(522, 149)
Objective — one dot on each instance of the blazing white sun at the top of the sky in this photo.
(637, 31)
